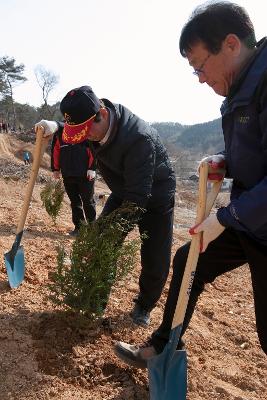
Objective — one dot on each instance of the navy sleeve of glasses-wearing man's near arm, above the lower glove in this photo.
(249, 211)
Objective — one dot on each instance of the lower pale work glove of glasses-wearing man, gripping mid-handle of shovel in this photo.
(211, 229)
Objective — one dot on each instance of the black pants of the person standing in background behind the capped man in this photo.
(81, 194)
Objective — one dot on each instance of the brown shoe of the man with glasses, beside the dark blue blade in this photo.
(135, 356)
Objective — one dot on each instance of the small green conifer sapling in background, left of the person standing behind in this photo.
(52, 197)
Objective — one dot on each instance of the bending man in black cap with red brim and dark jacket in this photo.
(134, 164)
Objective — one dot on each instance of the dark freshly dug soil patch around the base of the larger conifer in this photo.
(69, 346)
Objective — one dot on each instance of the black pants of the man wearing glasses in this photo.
(229, 251)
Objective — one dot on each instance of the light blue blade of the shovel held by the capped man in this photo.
(15, 267)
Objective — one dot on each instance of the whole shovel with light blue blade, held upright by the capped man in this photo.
(14, 259)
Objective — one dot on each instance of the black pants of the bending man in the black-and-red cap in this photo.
(157, 223)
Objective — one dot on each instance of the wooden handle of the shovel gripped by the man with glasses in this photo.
(204, 207)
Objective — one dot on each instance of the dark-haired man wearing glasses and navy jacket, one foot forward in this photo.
(219, 43)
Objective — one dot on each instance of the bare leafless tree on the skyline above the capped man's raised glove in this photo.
(47, 81)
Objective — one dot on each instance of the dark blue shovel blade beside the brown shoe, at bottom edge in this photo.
(168, 376)
